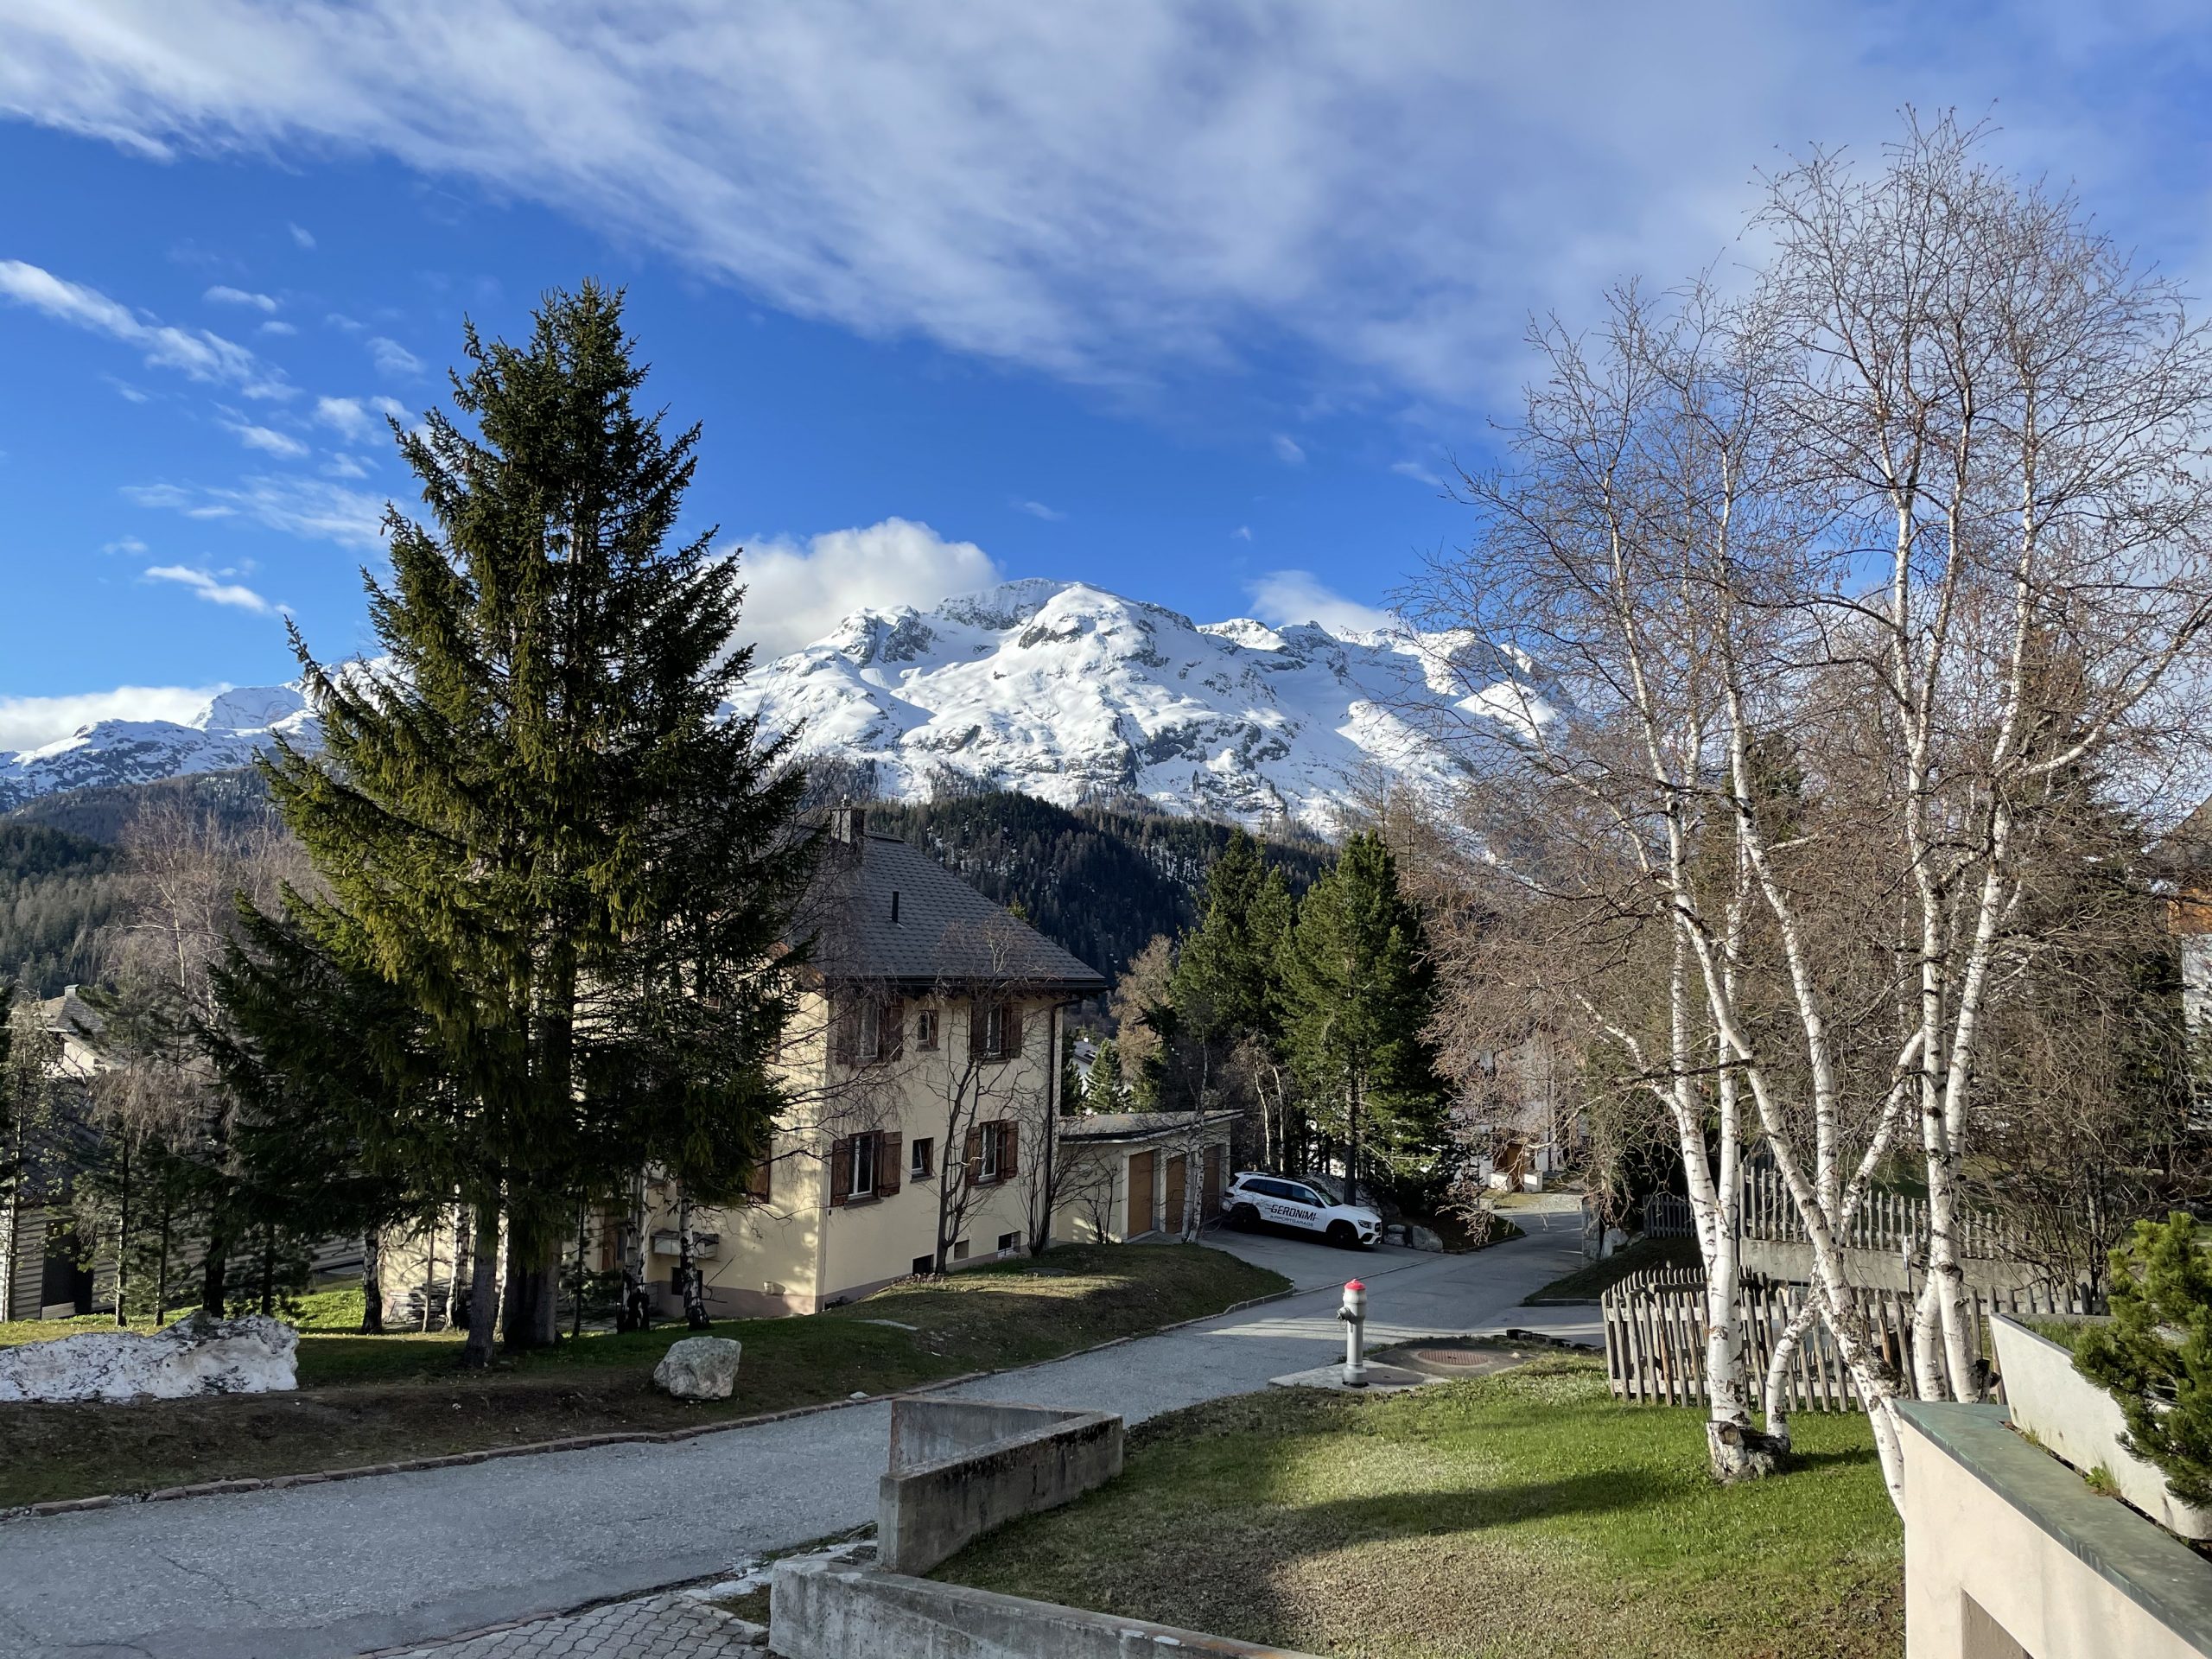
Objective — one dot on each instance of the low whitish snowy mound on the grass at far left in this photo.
(251, 1355)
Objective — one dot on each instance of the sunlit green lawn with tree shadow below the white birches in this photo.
(1523, 1514)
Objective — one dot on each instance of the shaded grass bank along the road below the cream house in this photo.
(382, 1399)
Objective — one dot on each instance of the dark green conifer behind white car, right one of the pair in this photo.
(1357, 997)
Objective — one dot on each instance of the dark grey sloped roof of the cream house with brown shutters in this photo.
(893, 915)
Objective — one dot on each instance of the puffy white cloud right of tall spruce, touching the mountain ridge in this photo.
(800, 592)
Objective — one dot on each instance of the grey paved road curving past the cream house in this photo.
(393, 1561)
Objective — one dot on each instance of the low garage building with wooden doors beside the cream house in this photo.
(1125, 1176)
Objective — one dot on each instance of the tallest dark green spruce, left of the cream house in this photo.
(532, 817)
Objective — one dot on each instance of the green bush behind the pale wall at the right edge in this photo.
(2156, 1357)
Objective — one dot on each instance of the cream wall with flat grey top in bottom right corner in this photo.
(2010, 1554)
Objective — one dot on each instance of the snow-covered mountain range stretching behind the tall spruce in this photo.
(1056, 689)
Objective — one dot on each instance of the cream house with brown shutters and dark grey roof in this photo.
(924, 1074)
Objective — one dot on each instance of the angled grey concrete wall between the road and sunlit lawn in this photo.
(963, 1468)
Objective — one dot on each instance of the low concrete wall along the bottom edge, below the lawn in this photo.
(824, 1611)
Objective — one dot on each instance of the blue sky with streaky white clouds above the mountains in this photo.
(1193, 302)
